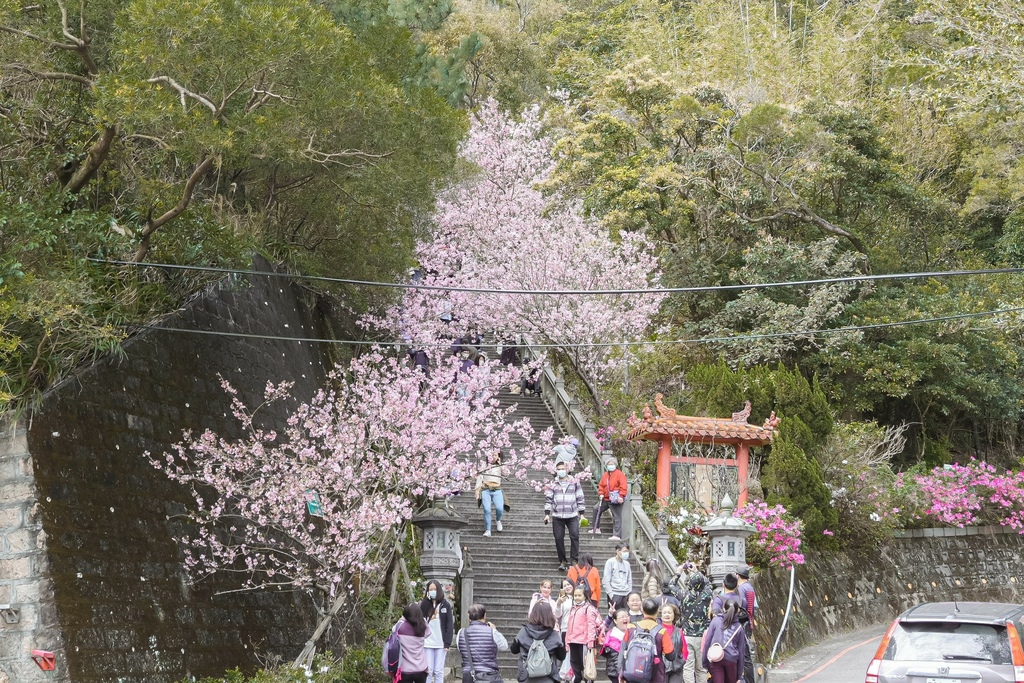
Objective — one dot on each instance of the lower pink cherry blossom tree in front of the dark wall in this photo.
(321, 501)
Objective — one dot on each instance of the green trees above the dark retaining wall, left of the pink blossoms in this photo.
(200, 133)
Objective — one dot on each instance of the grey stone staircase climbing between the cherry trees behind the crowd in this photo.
(508, 568)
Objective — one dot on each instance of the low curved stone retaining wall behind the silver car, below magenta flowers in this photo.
(840, 592)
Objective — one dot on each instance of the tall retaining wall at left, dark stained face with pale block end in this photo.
(89, 525)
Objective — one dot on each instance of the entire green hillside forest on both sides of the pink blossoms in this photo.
(749, 141)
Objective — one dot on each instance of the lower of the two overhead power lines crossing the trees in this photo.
(657, 343)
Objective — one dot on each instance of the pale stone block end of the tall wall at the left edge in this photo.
(28, 616)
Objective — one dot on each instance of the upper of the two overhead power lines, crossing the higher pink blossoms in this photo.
(651, 290)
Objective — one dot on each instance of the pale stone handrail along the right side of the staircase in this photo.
(638, 529)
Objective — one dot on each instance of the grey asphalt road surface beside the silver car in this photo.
(841, 660)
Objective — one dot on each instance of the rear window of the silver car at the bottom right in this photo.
(950, 642)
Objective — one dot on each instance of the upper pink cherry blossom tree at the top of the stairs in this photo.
(497, 230)
